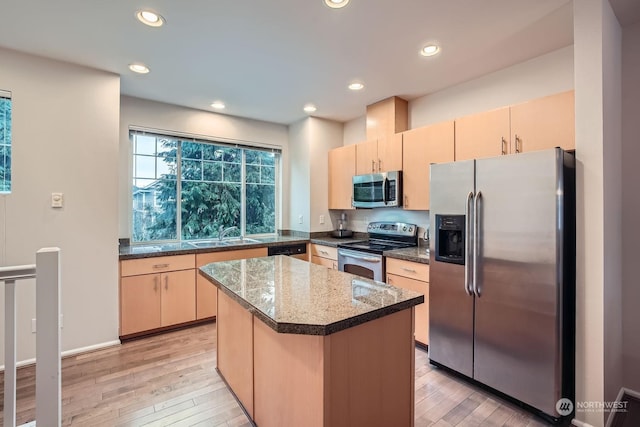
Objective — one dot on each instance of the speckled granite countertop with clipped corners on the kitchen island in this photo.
(297, 297)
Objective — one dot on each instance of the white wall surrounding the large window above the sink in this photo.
(208, 125)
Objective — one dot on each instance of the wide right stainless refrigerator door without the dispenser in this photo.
(517, 351)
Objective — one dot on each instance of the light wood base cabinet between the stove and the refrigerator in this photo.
(415, 277)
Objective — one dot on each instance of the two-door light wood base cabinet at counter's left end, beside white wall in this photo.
(156, 292)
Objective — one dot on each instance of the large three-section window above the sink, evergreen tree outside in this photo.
(219, 186)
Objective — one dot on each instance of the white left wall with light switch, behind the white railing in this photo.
(65, 139)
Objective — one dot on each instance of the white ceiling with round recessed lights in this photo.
(266, 59)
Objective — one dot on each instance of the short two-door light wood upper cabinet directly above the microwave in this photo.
(382, 155)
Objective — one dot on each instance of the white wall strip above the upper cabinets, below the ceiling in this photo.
(545, 75)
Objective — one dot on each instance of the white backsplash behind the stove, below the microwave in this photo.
(358, 219)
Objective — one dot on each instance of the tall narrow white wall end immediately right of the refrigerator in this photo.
(597, 79)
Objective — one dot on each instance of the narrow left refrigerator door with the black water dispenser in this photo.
(450, 306)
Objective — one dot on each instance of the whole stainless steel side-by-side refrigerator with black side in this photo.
(502, 274)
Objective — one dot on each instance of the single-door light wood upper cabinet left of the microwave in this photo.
(342, 167)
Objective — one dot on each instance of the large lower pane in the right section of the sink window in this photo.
(261, 212)
